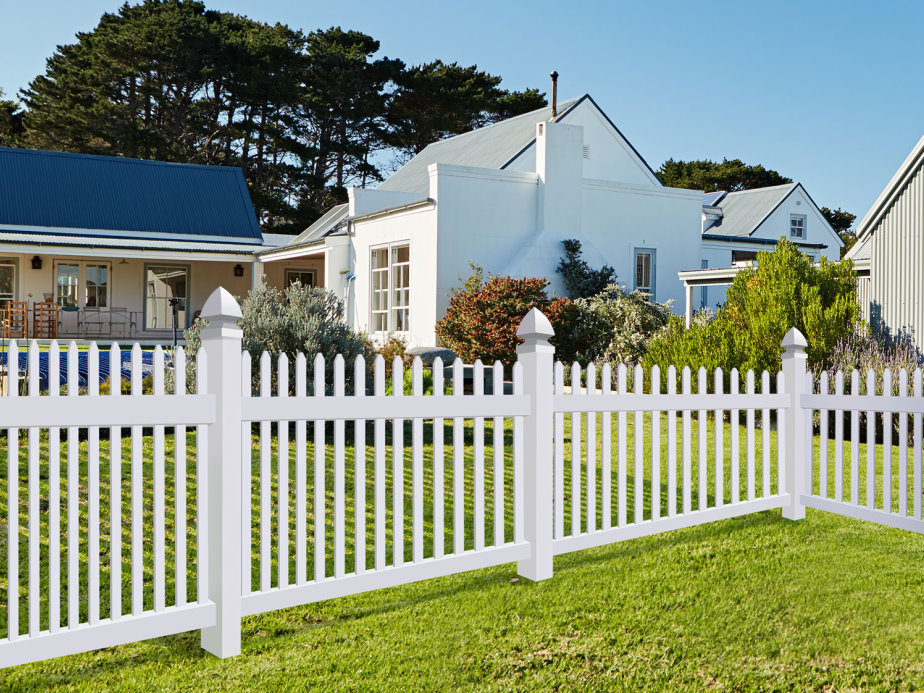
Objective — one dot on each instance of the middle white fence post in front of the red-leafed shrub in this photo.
(536, 356)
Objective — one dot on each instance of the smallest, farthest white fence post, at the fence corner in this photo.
(794, 361)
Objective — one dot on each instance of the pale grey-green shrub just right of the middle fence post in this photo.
(617, 326)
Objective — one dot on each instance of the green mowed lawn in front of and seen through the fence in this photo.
(753, 603)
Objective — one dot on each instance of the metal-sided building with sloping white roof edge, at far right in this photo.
(890, 247)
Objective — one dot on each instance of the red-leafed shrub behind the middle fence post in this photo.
(483, 316)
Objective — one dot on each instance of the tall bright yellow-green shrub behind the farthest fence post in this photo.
(784, 290)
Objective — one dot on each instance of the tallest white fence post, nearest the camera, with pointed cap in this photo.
(222, 343)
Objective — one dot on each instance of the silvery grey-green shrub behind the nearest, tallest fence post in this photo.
(298, 319)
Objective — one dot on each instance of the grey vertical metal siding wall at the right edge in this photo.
(896, 263)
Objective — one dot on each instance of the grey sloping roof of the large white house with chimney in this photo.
(492, 146)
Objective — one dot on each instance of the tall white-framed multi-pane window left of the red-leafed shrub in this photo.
(390, 274)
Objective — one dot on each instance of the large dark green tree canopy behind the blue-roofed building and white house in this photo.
(303, 114)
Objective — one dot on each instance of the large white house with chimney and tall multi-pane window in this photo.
(503, 197)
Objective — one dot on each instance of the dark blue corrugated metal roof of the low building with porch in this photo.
(128, 197)
